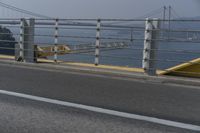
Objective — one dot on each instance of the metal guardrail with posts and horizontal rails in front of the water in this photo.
(151, 44)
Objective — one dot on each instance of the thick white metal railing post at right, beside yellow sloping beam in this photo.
(150, 46)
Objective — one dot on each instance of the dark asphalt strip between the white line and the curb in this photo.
(169, 102)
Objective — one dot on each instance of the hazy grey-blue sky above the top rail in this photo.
(104, 8)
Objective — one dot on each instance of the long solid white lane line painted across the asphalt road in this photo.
(105, 111)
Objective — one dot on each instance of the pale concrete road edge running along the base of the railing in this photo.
(105, 72)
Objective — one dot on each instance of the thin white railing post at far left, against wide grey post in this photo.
(21, 40)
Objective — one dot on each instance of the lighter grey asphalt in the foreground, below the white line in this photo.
(26, 116)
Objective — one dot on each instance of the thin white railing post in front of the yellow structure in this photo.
(56, 41)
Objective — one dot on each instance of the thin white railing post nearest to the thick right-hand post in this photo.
(97, 51)
